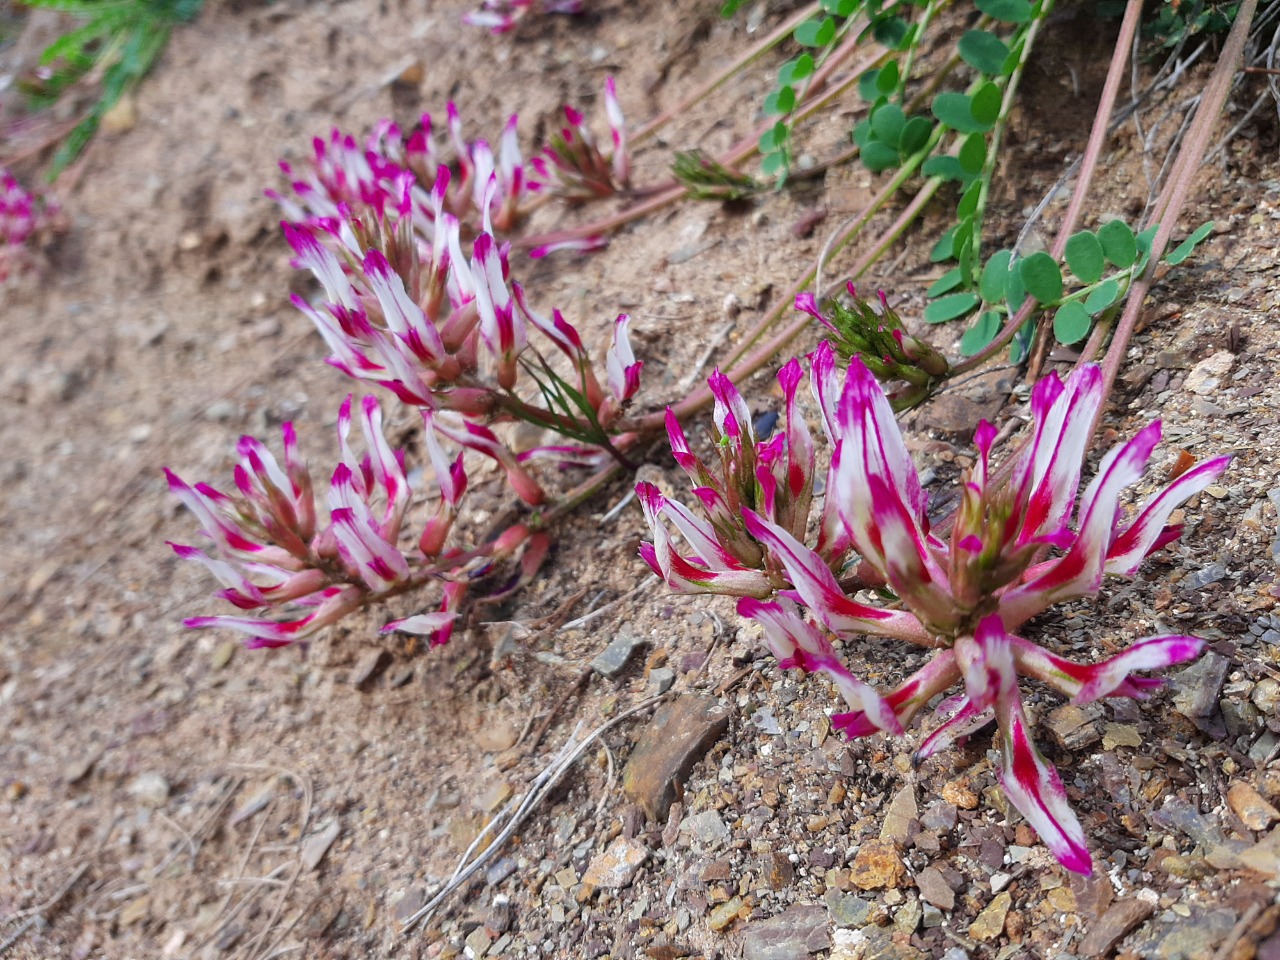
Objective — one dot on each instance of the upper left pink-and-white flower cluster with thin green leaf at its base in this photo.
(452, 333)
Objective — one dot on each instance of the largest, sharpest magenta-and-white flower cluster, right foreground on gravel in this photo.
(1013, 551)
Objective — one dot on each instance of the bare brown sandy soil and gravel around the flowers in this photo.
(167, 794)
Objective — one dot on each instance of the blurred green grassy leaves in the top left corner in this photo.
(120, 40)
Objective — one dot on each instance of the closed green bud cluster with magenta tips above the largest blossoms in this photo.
(885, 345)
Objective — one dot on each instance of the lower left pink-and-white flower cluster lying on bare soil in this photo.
(277, 557)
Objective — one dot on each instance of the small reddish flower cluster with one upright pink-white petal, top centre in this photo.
(573, 163)
